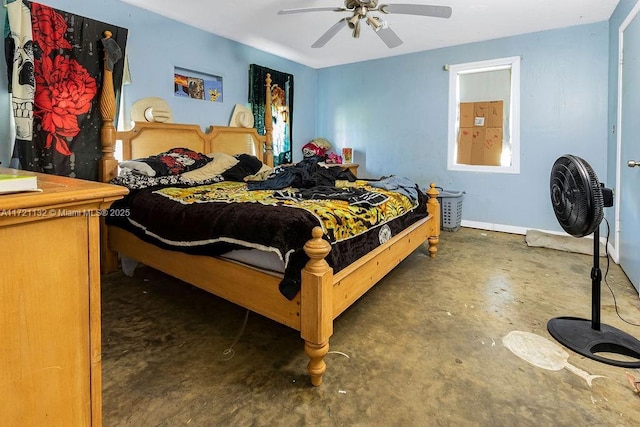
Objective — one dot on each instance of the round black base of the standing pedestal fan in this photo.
(578, 335)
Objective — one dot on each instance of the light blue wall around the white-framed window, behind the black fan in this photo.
(394, 113)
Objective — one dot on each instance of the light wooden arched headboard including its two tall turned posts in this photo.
(149, 138)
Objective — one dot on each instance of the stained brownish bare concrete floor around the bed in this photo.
(423, 347)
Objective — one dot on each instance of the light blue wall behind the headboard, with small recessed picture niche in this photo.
(156, 45)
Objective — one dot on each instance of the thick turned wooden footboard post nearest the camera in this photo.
(316, 300)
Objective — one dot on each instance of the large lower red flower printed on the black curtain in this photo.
(65, 91)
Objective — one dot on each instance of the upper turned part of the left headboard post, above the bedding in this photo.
(107, 165)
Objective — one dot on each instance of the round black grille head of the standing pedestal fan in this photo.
(576, 196)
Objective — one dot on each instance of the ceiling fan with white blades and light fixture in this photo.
(360, 9)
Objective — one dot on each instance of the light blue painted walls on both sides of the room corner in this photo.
(392, 111)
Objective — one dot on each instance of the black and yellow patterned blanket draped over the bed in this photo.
(214, 219)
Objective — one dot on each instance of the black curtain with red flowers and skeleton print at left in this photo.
(55, 65)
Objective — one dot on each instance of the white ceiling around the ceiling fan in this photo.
(257, 24)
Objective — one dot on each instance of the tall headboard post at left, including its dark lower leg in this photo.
(107, 165)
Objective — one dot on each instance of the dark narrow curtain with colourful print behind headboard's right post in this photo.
(281, 108)
